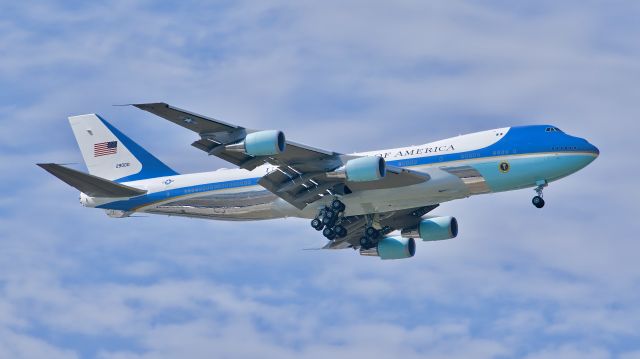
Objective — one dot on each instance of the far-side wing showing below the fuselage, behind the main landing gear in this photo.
(390, 221)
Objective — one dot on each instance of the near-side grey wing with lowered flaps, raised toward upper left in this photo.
(303, 173)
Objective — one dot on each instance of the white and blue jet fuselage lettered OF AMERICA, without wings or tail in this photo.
(484, 162)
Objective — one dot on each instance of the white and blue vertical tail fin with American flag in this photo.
(110, 154)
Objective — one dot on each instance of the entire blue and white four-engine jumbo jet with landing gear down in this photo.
(356, 200)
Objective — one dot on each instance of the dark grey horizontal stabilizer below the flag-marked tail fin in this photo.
(91, 185)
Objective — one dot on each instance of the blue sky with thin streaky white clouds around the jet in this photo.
(348, 76)
